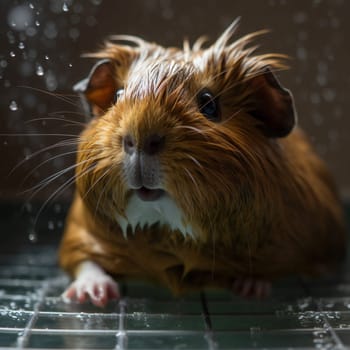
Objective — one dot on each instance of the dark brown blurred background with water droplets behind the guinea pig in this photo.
(40, 46)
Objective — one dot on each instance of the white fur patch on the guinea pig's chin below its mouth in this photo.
(163, 211)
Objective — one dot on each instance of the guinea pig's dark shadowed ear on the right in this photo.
(273, 105)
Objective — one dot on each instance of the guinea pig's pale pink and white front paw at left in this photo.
(99, 289)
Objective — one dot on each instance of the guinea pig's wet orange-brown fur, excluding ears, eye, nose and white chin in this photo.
(258, 206)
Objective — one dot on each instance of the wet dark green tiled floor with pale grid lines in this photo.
(299, 314)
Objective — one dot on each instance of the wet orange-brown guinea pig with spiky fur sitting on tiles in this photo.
(192, 173)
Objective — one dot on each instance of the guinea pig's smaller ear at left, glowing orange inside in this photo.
(98, 88)
